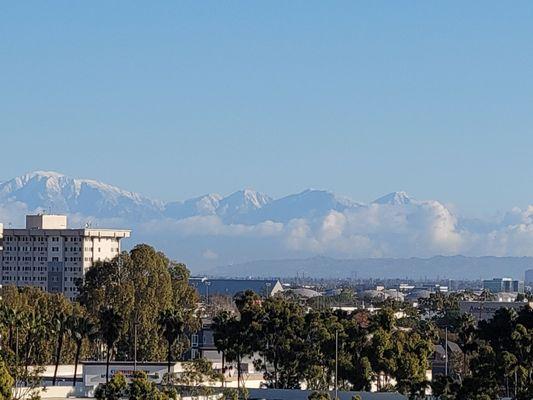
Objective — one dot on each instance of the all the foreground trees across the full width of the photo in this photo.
(140, 306)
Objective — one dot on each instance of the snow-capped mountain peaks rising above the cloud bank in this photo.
(58, 193)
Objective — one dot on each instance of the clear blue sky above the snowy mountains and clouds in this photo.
(175, 99)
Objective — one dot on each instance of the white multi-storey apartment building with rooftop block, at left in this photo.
(52, 257)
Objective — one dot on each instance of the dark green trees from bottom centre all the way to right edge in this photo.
(296, 346)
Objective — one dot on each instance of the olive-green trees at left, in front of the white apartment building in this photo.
(138, 305)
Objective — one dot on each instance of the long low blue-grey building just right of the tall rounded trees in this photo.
(230, 287)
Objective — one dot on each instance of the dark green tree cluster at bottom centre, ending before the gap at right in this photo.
(294, 346)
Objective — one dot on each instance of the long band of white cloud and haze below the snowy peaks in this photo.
(421, 228)
